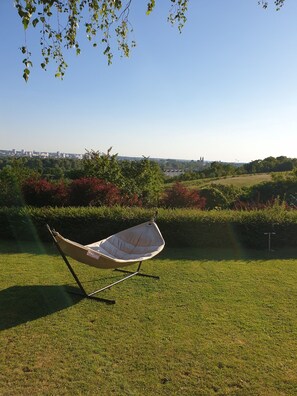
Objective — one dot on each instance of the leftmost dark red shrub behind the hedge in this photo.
(40, 192)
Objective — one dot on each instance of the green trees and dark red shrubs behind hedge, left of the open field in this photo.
(26, 181)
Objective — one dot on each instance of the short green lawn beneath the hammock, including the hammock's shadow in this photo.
(212, 325)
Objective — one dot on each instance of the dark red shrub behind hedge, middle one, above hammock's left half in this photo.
(93, 192)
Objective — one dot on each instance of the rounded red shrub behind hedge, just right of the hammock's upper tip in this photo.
(179, 196)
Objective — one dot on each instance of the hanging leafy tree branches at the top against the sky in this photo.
(103, 21)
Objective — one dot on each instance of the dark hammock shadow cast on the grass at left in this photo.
(21, 304)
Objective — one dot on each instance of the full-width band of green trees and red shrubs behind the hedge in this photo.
(104, 180)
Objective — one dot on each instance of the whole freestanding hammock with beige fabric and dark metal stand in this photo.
(146, 239)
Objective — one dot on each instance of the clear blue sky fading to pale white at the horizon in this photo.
(224, 89)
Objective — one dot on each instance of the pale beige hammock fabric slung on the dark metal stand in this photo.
(132, 245)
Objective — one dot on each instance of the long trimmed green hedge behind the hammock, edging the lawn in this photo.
(180, 227)
